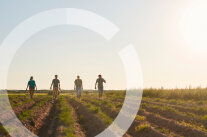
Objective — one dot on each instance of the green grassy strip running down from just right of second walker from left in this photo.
(66, 118)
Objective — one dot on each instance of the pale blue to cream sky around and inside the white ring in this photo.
(169, 38)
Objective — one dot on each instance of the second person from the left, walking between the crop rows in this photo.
(56, 87)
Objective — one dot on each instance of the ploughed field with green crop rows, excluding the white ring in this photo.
(162, 113)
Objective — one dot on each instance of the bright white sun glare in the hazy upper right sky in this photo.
(195, 26)
